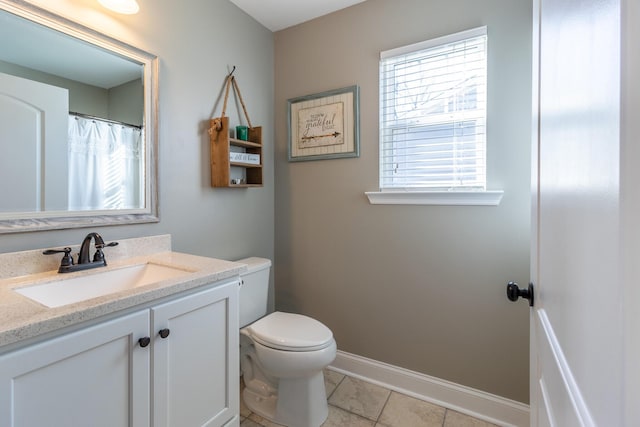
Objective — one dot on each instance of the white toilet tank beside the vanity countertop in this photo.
(254, 290)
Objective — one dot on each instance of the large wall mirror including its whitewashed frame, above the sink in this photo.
(78, 125)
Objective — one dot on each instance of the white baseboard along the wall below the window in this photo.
(476, 403)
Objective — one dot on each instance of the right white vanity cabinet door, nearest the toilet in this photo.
(196, 373)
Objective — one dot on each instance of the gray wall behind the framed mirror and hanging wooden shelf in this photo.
(195, 45)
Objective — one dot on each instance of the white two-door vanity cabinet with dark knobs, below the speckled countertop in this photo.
(103, 376)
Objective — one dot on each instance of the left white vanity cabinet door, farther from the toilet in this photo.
(97, 376)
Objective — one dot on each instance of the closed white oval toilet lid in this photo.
(292, 332)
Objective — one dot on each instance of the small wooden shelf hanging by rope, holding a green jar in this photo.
(235, 162)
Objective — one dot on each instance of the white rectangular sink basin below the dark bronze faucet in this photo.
(98, 283)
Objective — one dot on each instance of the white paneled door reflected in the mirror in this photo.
(33, 142)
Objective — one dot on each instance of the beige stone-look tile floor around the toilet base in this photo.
(357, 403)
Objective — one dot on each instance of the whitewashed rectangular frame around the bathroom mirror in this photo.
(52, 220)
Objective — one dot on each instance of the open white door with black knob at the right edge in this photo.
(585, 213)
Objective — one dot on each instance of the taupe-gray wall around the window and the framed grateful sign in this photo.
(420, 287)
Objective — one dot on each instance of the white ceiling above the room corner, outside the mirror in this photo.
(280, 14)
